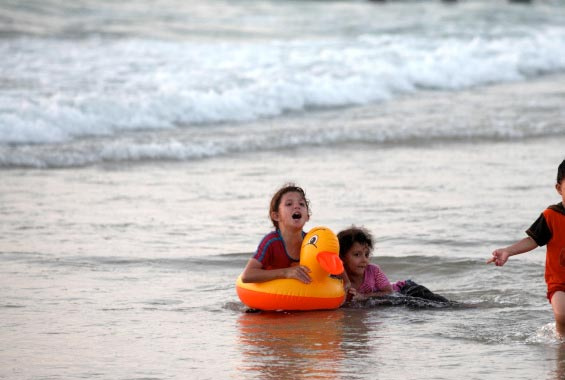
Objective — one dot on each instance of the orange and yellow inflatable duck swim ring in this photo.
(320, 253)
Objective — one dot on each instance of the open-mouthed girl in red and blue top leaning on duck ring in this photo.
(278, 253)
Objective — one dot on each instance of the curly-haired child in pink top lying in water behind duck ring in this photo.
(367, 279)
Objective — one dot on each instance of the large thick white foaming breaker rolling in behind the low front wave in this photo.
(60, 91)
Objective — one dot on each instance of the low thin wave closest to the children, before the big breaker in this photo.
(186, 144)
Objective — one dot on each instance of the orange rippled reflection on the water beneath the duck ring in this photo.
(301, 344)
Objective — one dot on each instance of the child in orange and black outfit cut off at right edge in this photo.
(548, 229)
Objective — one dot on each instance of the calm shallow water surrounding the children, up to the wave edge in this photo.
(128, 272)
